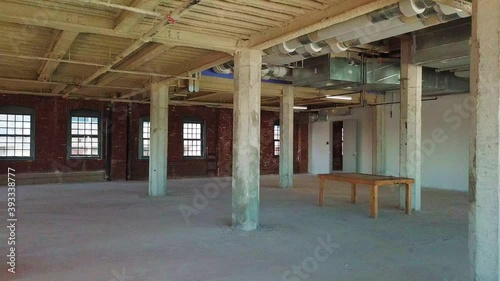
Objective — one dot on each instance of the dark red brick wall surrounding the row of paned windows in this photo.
(52, 115)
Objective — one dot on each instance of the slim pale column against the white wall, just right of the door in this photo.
(378, 131)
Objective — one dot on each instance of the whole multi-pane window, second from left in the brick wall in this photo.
(85, 137)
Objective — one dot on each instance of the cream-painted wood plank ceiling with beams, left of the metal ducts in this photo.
(86, 49)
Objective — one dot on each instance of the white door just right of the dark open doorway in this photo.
(350, 155)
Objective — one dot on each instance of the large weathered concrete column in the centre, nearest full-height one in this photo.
(246, 139)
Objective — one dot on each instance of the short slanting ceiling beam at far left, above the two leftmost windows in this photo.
(58, 50)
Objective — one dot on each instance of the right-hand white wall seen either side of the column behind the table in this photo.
(445, 141)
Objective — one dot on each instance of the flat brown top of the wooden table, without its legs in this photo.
(366, 178)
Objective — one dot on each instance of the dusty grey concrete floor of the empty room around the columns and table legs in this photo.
(114, 232)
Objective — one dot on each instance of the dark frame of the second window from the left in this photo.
(91, 114)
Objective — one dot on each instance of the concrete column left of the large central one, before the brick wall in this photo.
(159, 140)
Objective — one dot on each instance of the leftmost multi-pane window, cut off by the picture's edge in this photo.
(16, 133)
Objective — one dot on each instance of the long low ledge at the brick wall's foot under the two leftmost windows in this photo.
(56, 177)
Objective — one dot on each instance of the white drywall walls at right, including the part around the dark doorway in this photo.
(445, 141)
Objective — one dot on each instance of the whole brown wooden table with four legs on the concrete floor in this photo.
(372, 180)
